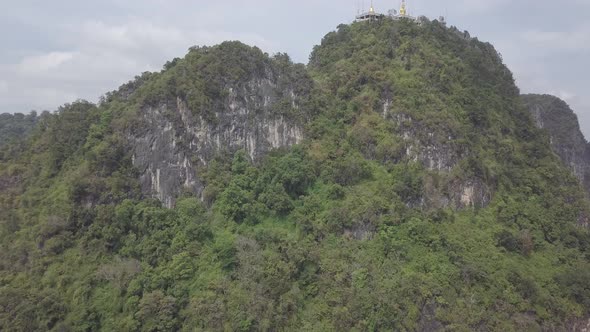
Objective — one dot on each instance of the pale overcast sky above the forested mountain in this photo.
(57, 51)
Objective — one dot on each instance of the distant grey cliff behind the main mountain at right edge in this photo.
(567, 141)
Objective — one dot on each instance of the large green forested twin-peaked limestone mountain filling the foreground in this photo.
(396, 182)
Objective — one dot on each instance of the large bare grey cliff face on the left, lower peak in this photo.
(176, 143)
